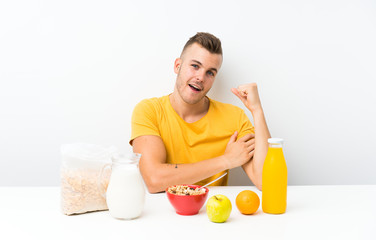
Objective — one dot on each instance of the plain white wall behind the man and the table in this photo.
(73, 70)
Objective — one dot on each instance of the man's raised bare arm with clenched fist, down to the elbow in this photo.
(248, 94)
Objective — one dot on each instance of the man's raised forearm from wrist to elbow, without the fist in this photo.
(254, 167)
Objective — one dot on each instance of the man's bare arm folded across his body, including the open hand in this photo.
(158, 175)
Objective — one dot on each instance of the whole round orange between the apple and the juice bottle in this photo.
(247, 202)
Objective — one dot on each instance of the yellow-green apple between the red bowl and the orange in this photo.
(218, 208)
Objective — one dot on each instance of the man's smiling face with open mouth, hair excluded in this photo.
(196, 69)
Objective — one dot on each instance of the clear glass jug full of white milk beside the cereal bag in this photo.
(125, 194)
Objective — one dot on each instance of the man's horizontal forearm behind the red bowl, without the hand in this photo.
(164, 175)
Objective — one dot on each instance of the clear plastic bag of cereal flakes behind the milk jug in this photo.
(82, 187)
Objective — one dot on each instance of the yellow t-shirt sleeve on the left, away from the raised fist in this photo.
(144, 120)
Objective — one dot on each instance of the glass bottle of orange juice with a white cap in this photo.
(274, 179)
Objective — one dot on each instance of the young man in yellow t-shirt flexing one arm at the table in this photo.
(187, 138)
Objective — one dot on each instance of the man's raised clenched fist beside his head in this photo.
(248, 94)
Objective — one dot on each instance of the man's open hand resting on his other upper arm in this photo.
(239, 152)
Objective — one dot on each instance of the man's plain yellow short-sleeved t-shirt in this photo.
(190, 142)
